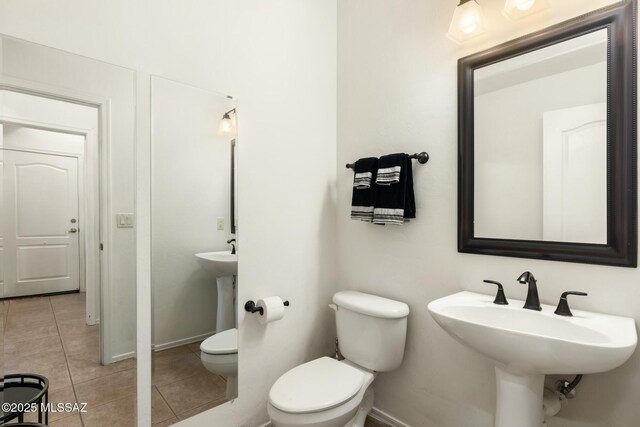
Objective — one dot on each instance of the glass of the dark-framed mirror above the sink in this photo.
(540, 141)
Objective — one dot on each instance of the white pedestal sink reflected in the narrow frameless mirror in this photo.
(224, 266)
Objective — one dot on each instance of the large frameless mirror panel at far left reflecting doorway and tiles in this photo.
(67, 243)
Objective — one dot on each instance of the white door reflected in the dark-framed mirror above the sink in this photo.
(575, 174)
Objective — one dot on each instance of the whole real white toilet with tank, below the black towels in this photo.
(330, 393)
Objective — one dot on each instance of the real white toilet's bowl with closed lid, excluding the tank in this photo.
(341, 395)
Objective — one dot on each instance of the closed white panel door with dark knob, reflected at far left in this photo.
(40, 223)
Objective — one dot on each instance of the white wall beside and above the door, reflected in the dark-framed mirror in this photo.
(508, 158)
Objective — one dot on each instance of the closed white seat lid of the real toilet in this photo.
(314, 386)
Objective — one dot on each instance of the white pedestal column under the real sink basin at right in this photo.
(518, 399)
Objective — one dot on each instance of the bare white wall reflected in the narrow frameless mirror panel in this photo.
(190, 190)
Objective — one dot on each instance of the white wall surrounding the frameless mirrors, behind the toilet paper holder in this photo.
(279, 59)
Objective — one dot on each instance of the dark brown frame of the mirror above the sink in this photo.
(621, 246)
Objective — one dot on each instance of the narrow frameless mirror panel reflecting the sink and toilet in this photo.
(194, 253)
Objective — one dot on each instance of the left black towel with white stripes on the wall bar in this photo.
(363, 191)
